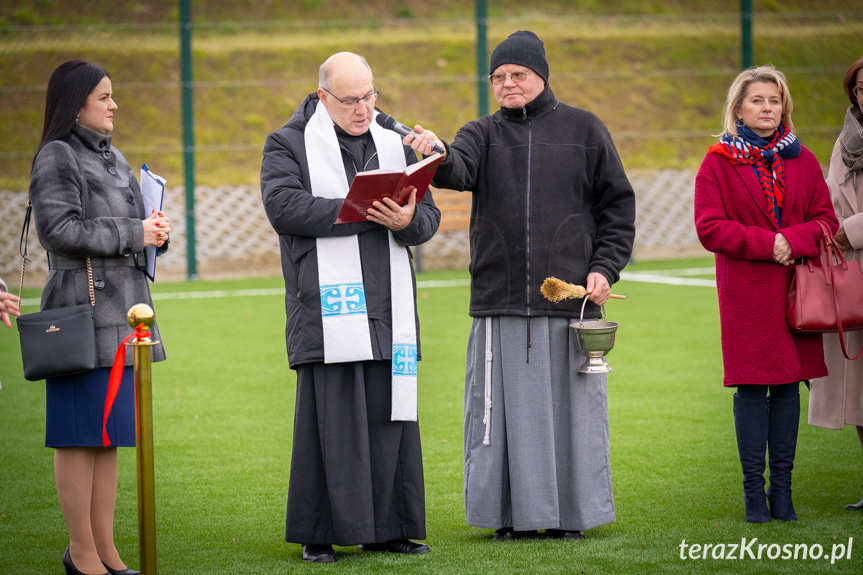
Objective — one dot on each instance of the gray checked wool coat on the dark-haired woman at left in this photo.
(110, 236)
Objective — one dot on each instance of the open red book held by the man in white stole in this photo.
(375, 185)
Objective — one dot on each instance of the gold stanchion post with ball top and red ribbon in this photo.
(143, 314)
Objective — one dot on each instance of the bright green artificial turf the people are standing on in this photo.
(223, 412)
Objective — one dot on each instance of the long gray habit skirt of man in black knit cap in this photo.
(547, 462)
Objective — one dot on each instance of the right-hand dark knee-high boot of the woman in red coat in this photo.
(782, 445)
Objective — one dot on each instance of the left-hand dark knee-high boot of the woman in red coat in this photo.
(750, 423)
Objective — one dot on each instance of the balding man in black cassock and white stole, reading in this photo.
(352, 329)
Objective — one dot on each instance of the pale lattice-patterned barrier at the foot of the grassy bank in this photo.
(234, 238)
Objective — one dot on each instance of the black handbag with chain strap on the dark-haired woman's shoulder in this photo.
(59, 341)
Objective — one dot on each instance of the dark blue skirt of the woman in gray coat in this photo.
(75, 406)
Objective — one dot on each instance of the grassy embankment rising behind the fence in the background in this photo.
(657, 82)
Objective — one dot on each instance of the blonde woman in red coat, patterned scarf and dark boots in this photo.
(758, 195)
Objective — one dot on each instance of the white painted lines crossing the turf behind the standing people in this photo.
(658, 276)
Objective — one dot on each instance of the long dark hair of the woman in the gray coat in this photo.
(68, 88)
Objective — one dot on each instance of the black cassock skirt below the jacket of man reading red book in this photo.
(356, 477)
